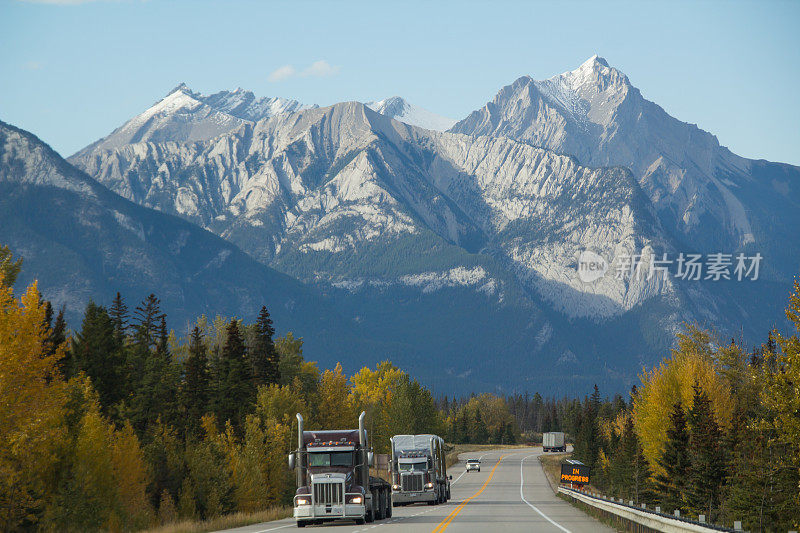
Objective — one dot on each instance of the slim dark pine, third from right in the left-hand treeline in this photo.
(195, 386)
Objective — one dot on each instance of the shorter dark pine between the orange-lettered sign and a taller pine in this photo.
(671, 486)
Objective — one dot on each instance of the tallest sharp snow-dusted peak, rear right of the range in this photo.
(709, 197)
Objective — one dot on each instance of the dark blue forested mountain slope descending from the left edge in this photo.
(82, 241)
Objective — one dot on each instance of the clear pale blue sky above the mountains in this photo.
(72, 71)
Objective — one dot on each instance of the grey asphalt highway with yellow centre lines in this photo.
(509, 494)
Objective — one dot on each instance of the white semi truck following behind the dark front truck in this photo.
(419, 470)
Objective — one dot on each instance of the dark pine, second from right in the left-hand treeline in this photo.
(234, 394)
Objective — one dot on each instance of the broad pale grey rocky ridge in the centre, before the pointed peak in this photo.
(320, 193)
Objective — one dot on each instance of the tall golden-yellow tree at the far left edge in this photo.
(32, 397)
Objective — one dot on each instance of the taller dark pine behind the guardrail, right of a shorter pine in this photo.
(707, 470)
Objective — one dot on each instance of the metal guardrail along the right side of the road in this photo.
(641, 516)
